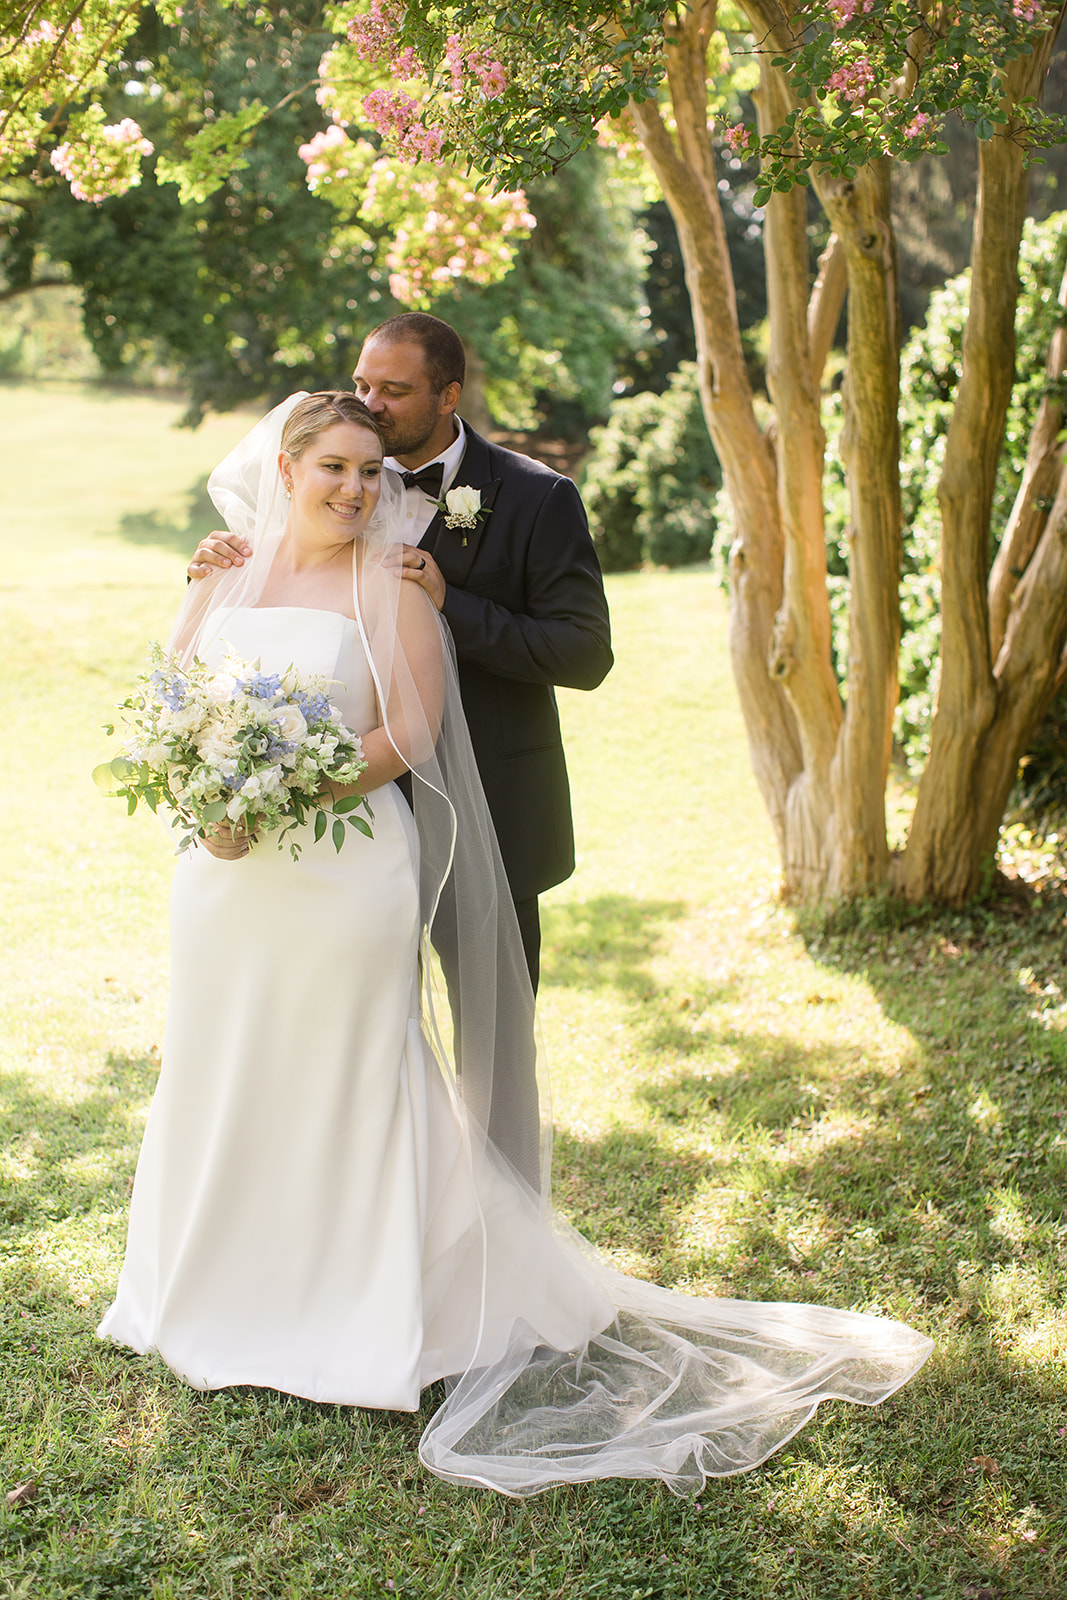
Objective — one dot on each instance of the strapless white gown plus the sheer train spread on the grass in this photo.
(313, 1215)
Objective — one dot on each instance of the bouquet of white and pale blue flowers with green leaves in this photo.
(241, 746)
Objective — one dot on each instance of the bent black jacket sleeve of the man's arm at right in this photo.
(564, 636)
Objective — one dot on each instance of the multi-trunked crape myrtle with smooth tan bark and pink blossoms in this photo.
(844, 92)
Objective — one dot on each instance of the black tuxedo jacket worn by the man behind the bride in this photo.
(527, 610)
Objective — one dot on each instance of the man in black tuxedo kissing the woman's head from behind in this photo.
(521, 591)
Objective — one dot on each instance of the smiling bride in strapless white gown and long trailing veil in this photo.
(319, 1207)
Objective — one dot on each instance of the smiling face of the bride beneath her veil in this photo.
(335, 482)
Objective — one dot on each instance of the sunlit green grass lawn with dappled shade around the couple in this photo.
(845, 1113)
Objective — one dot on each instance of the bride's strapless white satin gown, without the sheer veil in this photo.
(303, 1214)
